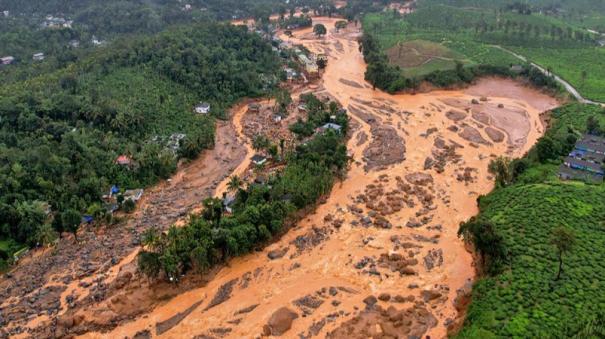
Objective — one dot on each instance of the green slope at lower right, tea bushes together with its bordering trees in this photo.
(522, 294)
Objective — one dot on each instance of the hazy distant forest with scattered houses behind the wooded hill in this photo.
(23, 31)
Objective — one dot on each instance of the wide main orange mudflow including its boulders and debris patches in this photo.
(381, 254)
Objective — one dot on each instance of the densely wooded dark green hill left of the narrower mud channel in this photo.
(61, 131)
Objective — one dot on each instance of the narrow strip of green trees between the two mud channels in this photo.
(260, 211)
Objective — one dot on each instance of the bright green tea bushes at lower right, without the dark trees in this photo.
(525, 301)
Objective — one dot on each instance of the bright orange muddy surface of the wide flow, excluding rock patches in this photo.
(331, 260)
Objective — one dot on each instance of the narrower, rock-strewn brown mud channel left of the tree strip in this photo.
(47, 283)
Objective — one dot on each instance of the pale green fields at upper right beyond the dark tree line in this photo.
(471, 31)
